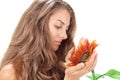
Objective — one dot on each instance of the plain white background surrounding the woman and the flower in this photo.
(96, 19)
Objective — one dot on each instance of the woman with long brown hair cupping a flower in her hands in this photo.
(42, 43)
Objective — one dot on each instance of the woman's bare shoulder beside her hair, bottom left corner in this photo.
(7, 72)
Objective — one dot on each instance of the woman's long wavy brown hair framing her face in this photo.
(30, 50)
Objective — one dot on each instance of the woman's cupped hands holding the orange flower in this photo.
(75, 72)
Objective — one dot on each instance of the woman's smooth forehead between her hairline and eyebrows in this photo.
(62, 15)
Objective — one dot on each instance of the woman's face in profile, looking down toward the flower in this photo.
(58, 25)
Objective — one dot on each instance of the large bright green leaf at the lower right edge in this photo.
(113, 74)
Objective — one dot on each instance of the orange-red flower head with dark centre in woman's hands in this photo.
(83, 51)
